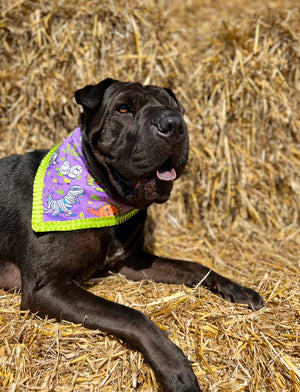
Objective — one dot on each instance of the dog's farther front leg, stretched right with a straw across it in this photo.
(160, 269)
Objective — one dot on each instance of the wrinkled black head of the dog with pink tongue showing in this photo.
(134, 138)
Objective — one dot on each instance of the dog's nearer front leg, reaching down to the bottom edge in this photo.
(64, 299)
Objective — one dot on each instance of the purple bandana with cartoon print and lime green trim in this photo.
(66, 196)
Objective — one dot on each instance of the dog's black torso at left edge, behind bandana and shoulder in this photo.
(16, 178)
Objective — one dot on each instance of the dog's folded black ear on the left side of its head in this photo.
(91, 96)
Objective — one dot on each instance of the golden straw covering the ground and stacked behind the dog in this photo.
(236, 67)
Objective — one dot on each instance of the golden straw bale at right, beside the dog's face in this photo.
(246, 103)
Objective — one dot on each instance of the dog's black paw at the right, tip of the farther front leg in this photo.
(237, 293)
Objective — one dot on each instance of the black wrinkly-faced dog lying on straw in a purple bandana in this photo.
(135, 144)
